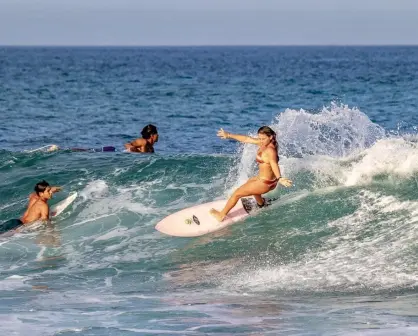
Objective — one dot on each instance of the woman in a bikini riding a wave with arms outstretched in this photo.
(269, 171)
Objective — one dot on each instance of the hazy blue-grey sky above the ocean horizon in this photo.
(208, 22)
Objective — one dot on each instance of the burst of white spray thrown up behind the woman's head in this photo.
(336, 131)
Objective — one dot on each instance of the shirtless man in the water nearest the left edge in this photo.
(38, 208)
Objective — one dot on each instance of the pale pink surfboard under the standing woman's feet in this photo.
(197, 221)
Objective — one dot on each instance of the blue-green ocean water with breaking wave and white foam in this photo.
(336, 255)
